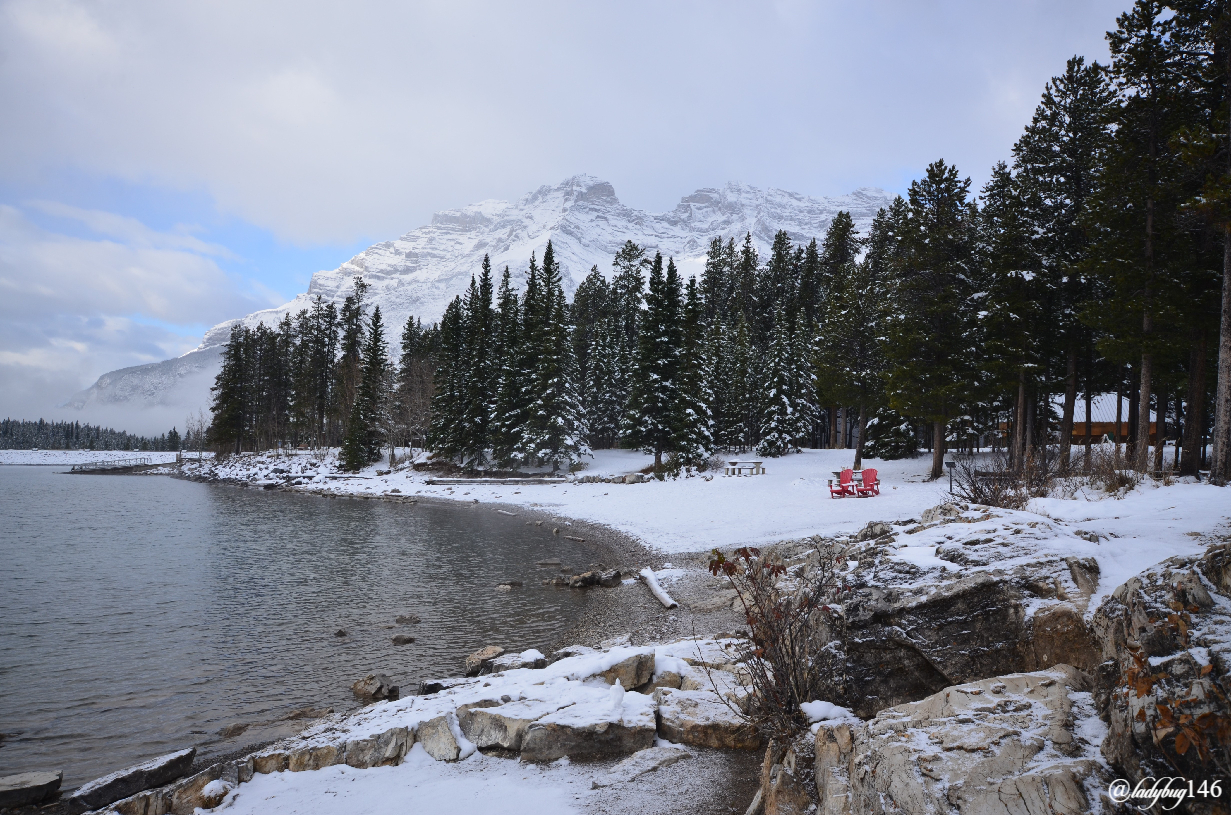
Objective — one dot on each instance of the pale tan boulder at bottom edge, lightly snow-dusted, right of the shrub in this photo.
(1024, 744)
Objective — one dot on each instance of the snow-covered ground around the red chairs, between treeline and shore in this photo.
(792, 500)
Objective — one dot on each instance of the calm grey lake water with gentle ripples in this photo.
(142, 615)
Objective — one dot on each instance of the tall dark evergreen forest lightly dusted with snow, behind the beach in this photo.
(1095, 260)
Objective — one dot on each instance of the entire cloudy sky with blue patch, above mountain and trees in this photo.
(169, 166)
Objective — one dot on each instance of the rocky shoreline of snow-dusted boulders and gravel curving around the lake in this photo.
(988, 675)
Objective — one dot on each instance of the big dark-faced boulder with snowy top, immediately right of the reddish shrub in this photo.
(969, 598)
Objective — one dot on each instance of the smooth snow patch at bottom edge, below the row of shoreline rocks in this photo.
(419, 785)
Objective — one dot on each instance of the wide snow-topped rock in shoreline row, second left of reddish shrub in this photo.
(611, 726)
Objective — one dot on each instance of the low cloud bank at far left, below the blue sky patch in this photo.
(73, 308)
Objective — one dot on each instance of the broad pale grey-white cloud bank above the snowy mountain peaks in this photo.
(324, 122)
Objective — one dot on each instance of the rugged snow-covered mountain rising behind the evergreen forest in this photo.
(425, 269)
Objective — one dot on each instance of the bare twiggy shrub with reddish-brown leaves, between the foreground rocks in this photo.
(790, 657)
